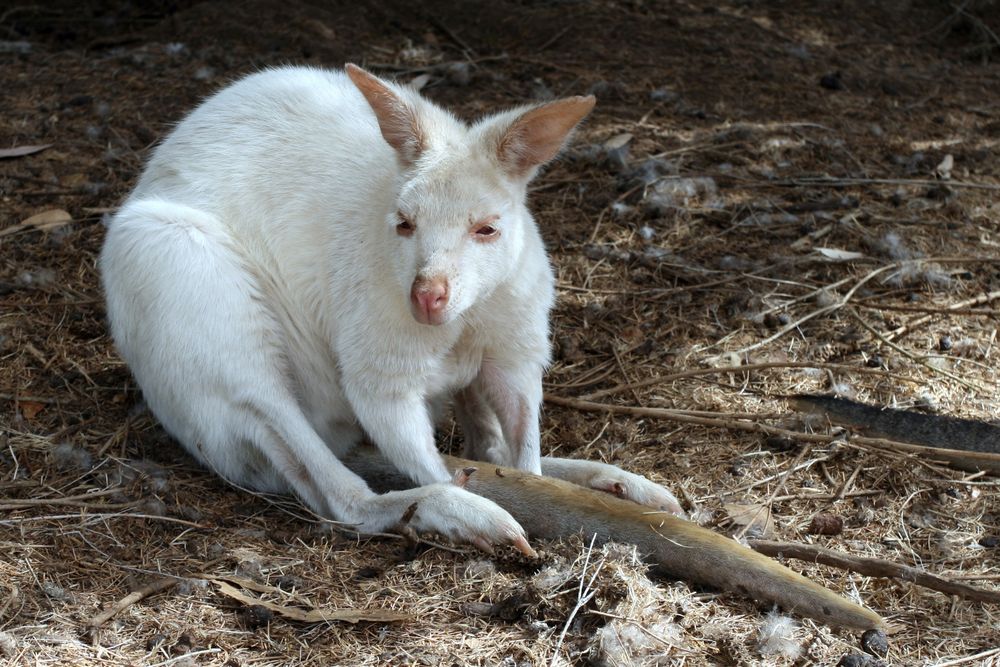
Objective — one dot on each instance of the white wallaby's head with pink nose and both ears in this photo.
(460, 220)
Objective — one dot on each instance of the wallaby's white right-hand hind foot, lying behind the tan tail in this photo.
(612, 479)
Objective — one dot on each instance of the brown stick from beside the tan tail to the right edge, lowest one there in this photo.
(873, 567)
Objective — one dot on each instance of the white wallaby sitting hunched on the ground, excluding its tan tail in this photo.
(312, 257)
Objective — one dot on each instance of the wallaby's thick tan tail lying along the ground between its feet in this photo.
(550, 508)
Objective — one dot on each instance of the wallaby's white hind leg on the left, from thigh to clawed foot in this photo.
(193, 324)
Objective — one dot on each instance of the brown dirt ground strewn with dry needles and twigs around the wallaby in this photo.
(767, 185)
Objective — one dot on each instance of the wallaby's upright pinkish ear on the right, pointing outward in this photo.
(536, 136)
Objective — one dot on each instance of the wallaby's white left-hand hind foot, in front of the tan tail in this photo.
(449, 510)
